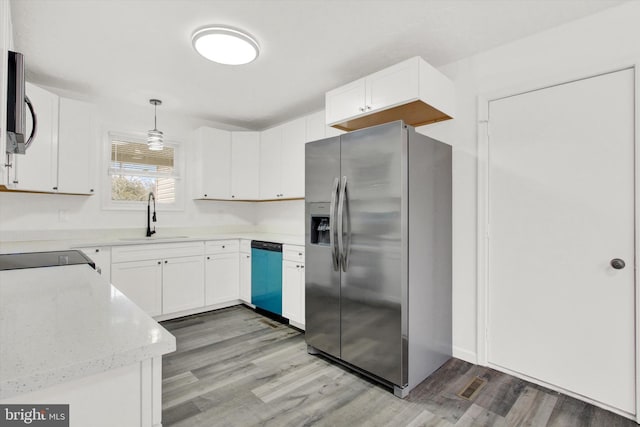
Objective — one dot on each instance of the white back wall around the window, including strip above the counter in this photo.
(23, 213)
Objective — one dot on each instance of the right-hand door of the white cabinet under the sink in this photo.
(182, 284)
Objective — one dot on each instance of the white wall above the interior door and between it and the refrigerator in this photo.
(574, 50)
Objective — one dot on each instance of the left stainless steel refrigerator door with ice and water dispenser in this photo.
(322, 277)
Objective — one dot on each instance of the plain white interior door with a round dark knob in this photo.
(561, 207)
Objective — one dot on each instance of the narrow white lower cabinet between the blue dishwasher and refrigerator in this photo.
(293, 284)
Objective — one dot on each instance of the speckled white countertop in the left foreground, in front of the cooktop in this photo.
(66, 322)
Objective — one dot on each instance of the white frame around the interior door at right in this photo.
(483, 229)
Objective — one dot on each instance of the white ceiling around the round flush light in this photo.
(133, 50)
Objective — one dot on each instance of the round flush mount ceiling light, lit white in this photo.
(225, 45)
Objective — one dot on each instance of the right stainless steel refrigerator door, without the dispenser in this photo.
(370, 231)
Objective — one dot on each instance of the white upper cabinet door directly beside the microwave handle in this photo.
(37, 169)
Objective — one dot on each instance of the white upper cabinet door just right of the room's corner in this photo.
(270, 158)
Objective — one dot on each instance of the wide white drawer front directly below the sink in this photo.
(155, 251)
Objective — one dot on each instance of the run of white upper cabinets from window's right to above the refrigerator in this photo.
(267, 165)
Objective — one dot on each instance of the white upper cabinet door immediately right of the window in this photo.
(214, 149)
